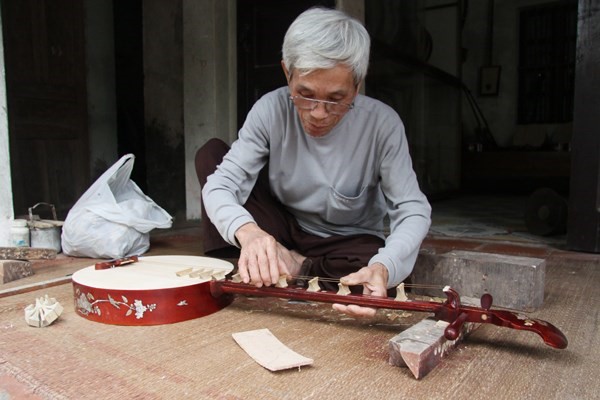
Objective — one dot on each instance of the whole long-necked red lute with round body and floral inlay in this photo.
(167, 289)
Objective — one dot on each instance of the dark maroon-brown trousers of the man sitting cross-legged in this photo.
(331, 257)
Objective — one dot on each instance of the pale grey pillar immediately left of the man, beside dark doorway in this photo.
(210, 85)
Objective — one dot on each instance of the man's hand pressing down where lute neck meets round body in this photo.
(262, 259)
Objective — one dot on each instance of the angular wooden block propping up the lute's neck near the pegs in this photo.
(422, 346)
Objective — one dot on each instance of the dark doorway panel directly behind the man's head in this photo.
(261, 27)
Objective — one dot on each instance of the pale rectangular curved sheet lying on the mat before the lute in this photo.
(268, 351)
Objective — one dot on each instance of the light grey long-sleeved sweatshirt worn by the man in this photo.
(343, 183)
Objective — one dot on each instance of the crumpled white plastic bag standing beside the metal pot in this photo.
(113, 218)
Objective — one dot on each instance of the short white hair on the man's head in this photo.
(321, 38)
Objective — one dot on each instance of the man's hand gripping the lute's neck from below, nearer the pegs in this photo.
(374, 280)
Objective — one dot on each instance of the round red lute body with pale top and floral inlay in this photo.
(150, 291)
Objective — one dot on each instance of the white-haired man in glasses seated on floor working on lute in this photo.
(305, 189)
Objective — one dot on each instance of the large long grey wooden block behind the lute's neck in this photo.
(514, 282)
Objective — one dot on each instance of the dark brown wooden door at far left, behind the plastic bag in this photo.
(46, 96)
